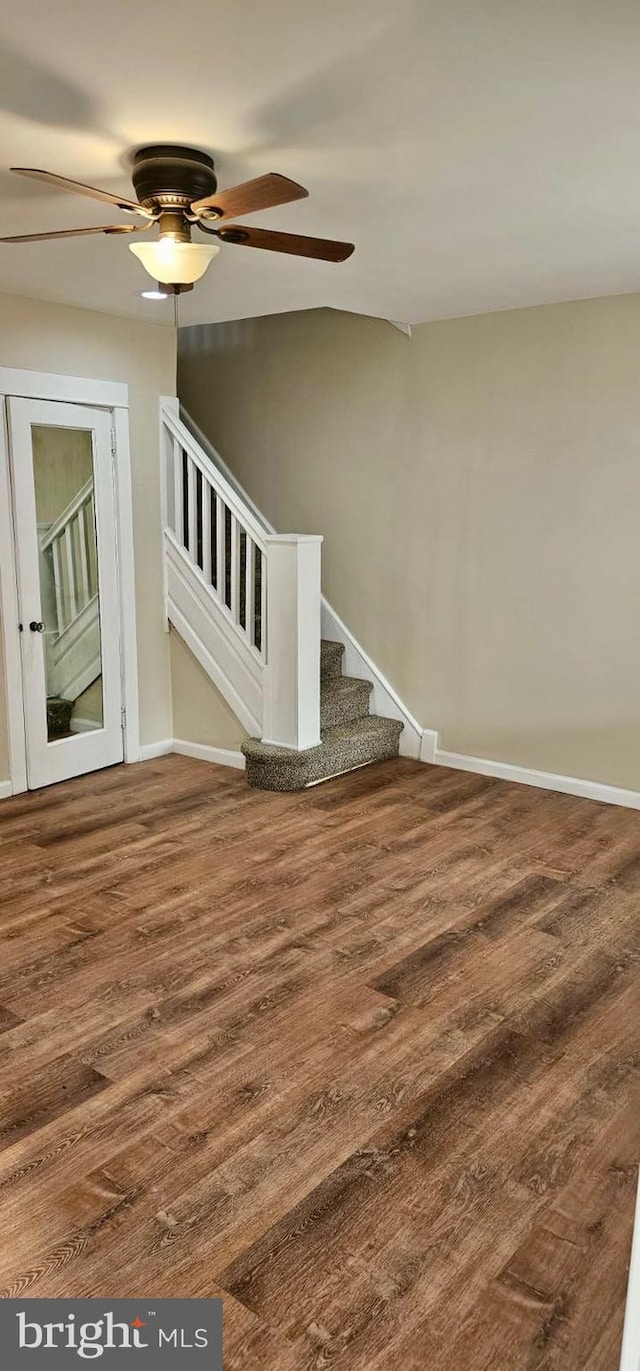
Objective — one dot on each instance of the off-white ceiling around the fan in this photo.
(482, 154)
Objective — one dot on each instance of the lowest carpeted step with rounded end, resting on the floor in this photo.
(343, 748)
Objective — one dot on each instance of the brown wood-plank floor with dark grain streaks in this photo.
(365, 1060)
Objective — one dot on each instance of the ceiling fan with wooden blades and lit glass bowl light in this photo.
(177, 191)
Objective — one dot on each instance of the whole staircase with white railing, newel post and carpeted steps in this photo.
(247, 603)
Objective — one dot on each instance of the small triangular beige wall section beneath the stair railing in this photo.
(199, 712)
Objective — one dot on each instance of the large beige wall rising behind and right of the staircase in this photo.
(479, 490)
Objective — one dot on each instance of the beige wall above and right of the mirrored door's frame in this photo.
(51, 338)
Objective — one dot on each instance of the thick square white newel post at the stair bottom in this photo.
(291, 712)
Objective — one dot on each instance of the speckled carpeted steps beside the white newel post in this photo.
(350, 736)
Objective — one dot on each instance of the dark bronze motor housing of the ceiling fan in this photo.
(172, 178)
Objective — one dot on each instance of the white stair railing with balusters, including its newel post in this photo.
(247, 603)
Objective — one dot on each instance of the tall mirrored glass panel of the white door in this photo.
(69, 579)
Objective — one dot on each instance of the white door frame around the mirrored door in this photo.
(113, 397)
